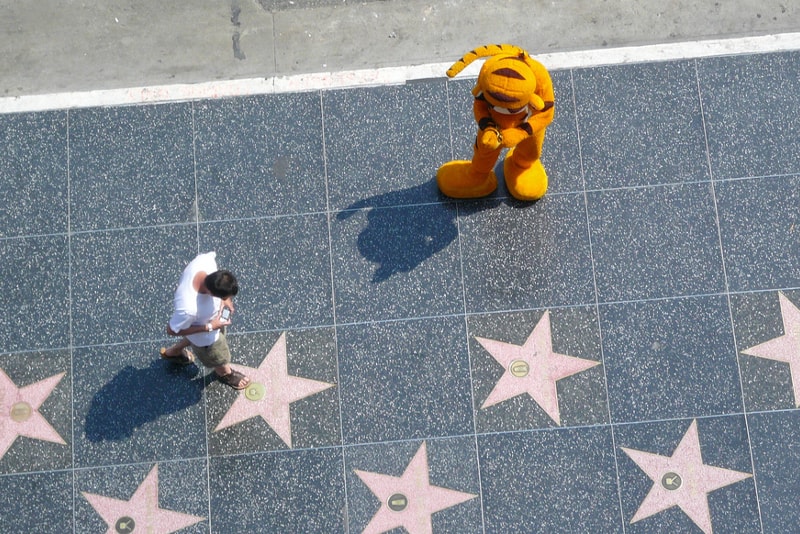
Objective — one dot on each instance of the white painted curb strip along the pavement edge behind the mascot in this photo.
(779, 42)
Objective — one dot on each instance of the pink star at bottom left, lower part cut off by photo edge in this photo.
(141, 513)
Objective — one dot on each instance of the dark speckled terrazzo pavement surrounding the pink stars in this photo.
(667, 247)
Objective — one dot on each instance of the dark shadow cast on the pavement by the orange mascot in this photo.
(398, 239)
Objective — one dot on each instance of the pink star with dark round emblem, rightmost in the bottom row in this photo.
(682, 480)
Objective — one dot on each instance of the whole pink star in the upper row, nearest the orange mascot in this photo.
(532, 368)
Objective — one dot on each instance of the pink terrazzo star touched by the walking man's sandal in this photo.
(270, 392)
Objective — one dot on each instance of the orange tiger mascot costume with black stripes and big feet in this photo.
(514, 104)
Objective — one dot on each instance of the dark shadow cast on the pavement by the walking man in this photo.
(137, 396)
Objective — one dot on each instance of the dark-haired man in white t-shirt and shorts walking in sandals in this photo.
(202, 307)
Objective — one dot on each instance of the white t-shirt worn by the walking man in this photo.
(192, 308)
